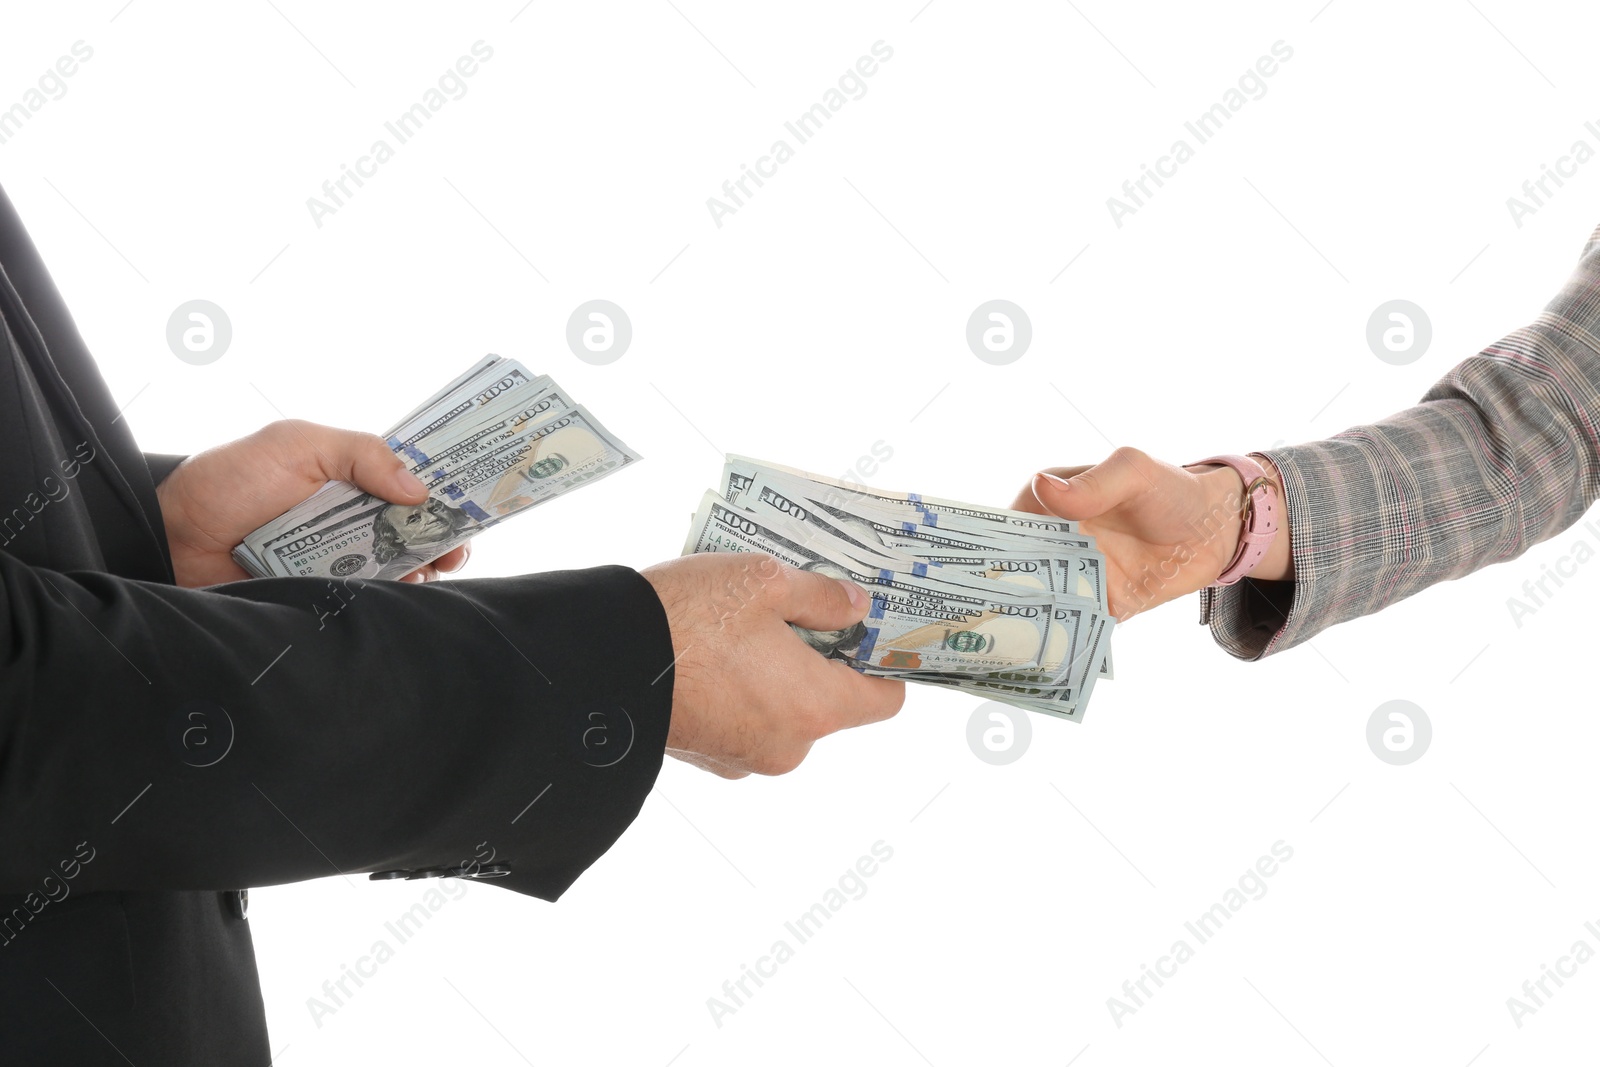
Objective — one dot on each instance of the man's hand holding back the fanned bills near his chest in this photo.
(214, 500)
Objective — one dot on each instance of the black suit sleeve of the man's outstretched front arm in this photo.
(278, 730)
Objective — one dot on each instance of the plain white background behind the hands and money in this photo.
(825, 316)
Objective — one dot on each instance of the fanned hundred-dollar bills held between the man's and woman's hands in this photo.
(998, 604)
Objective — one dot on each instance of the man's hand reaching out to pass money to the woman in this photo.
(750, 693)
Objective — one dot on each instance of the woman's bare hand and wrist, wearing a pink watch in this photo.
(1166, 530)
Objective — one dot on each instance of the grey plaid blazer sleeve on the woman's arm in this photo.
(1500, 455)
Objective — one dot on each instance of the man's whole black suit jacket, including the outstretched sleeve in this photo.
(162, 749)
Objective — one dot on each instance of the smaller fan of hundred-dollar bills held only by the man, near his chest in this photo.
(489, 446)
